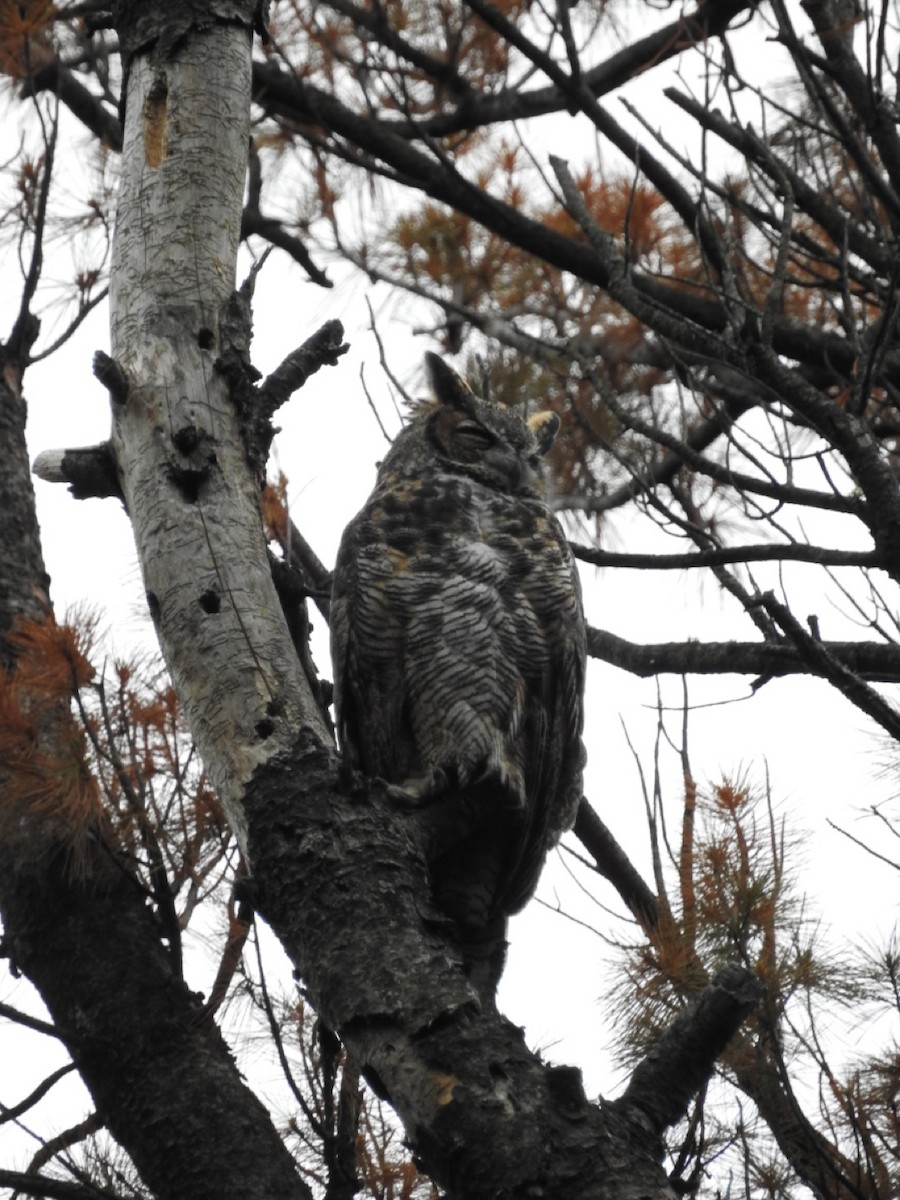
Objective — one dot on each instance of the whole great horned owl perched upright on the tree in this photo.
(458, 640)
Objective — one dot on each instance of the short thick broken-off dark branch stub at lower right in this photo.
(683, 1060)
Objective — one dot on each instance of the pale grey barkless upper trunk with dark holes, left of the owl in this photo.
(191, 496)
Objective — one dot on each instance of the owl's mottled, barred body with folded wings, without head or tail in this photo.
(459, 647)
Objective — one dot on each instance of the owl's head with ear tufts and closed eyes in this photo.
(493, 443)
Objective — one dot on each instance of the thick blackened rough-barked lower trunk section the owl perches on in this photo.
(488, 1118)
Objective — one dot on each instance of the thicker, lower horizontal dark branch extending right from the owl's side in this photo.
(875, 662)
